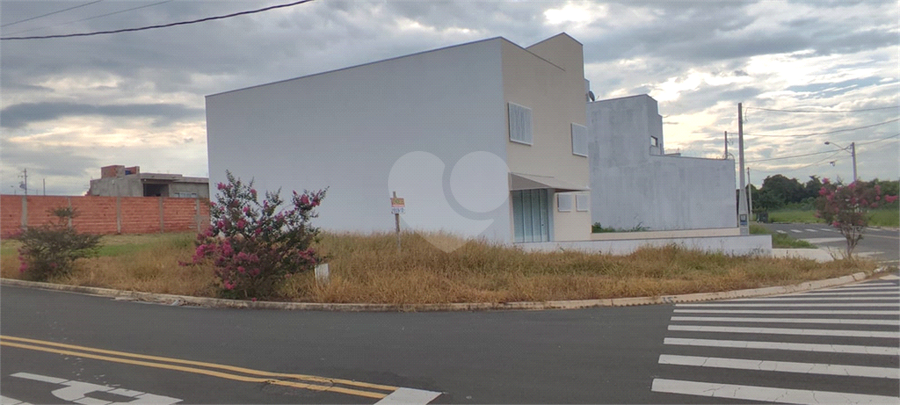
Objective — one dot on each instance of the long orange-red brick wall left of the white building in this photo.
(106, 215)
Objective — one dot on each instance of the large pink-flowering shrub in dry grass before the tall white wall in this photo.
(255, 246)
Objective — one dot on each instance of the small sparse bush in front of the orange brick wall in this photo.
(49, 251)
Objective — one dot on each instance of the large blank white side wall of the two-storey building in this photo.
(346, 130)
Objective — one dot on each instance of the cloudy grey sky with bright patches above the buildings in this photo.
(72, 105)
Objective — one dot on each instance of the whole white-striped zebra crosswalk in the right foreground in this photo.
(767, 349)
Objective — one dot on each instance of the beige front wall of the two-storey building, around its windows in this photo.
(548, 78)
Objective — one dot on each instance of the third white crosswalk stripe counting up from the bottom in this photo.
(796, 347)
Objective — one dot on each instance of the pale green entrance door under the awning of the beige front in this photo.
(531, 215)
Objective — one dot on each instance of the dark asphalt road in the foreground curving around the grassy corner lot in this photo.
(70, 348)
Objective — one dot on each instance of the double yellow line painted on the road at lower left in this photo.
(212, 373)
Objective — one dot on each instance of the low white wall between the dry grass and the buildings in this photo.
(754, 245)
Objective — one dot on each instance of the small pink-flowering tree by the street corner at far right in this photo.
(847, 208)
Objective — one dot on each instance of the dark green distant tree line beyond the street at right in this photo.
(778, 192)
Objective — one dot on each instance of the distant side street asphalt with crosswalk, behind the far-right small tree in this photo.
(881, 244)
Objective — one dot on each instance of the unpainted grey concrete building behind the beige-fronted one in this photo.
(631, 186)
